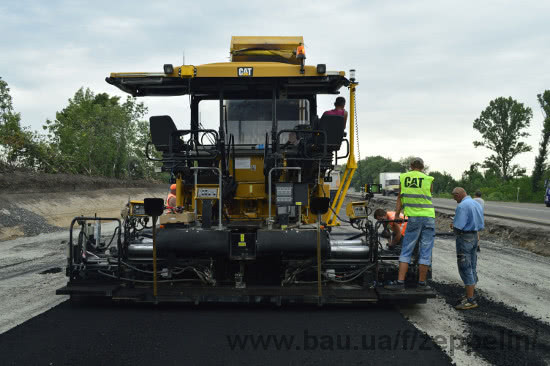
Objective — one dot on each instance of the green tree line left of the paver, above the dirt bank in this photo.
(95, 134)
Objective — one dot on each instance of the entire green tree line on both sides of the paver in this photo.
(102, 135)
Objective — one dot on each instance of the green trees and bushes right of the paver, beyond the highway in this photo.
(502, 126)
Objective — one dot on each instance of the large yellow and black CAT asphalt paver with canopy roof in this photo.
(253, 221)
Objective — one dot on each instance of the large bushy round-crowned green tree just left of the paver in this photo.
(97, 134)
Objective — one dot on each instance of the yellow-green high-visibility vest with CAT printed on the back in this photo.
(416, 195)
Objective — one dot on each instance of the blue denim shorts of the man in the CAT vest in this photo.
(421, 230)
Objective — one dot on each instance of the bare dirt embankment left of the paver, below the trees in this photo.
(32, 204)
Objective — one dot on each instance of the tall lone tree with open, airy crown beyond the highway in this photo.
(501, 126)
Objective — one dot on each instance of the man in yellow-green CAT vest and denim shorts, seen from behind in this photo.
(415, 198)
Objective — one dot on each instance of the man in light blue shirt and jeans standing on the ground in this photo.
(467, 222)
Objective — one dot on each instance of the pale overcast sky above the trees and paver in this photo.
(426, 68)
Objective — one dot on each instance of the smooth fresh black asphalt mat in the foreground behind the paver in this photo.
(125, 334)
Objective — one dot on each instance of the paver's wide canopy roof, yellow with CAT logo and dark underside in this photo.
(238, 80)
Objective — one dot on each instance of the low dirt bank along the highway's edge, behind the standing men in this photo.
(536, 240)
